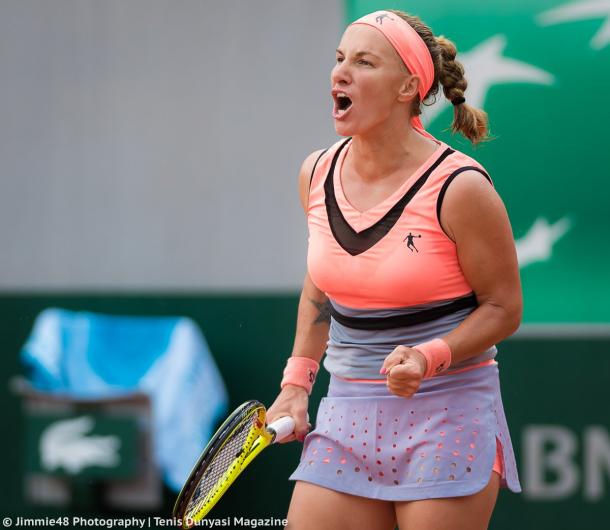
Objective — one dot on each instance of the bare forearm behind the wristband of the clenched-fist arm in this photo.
(487, 325)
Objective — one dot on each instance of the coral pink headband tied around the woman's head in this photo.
(409, 45)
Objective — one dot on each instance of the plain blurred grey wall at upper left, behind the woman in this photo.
(156, 145)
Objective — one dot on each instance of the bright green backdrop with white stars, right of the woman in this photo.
(539, 69)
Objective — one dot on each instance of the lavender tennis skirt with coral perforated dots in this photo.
(439, 443)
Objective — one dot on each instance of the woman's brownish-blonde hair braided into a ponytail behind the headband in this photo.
(470, 121)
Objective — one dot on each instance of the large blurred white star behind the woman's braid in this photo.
(485, 66)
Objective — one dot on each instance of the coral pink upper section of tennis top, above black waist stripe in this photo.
(393, 255)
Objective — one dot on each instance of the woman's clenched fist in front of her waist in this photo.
(405, 368)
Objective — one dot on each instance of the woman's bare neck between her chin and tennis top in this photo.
(375, 155)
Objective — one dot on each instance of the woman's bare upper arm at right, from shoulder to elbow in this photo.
(475, 217)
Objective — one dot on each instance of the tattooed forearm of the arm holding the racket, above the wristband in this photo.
(313, 321)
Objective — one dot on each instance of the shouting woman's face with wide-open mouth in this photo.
(368, 82)
